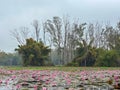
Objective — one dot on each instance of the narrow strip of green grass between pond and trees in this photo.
(60, 68)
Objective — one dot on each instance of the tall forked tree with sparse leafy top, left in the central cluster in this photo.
(54, 29)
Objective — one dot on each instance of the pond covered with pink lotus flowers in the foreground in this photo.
(59, 78)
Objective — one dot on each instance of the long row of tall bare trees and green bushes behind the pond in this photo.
(70, 43)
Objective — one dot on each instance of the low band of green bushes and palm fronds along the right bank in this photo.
(96, 57)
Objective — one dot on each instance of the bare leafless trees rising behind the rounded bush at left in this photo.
(24, 33)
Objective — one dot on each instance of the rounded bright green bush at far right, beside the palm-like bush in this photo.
(107, 58)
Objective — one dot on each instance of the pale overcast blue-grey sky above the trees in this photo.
(18, 13)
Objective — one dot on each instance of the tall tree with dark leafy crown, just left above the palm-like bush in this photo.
(75, 38)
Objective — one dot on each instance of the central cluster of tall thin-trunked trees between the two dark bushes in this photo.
(64, 37)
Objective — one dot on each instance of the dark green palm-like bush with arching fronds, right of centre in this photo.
(85, 54)
